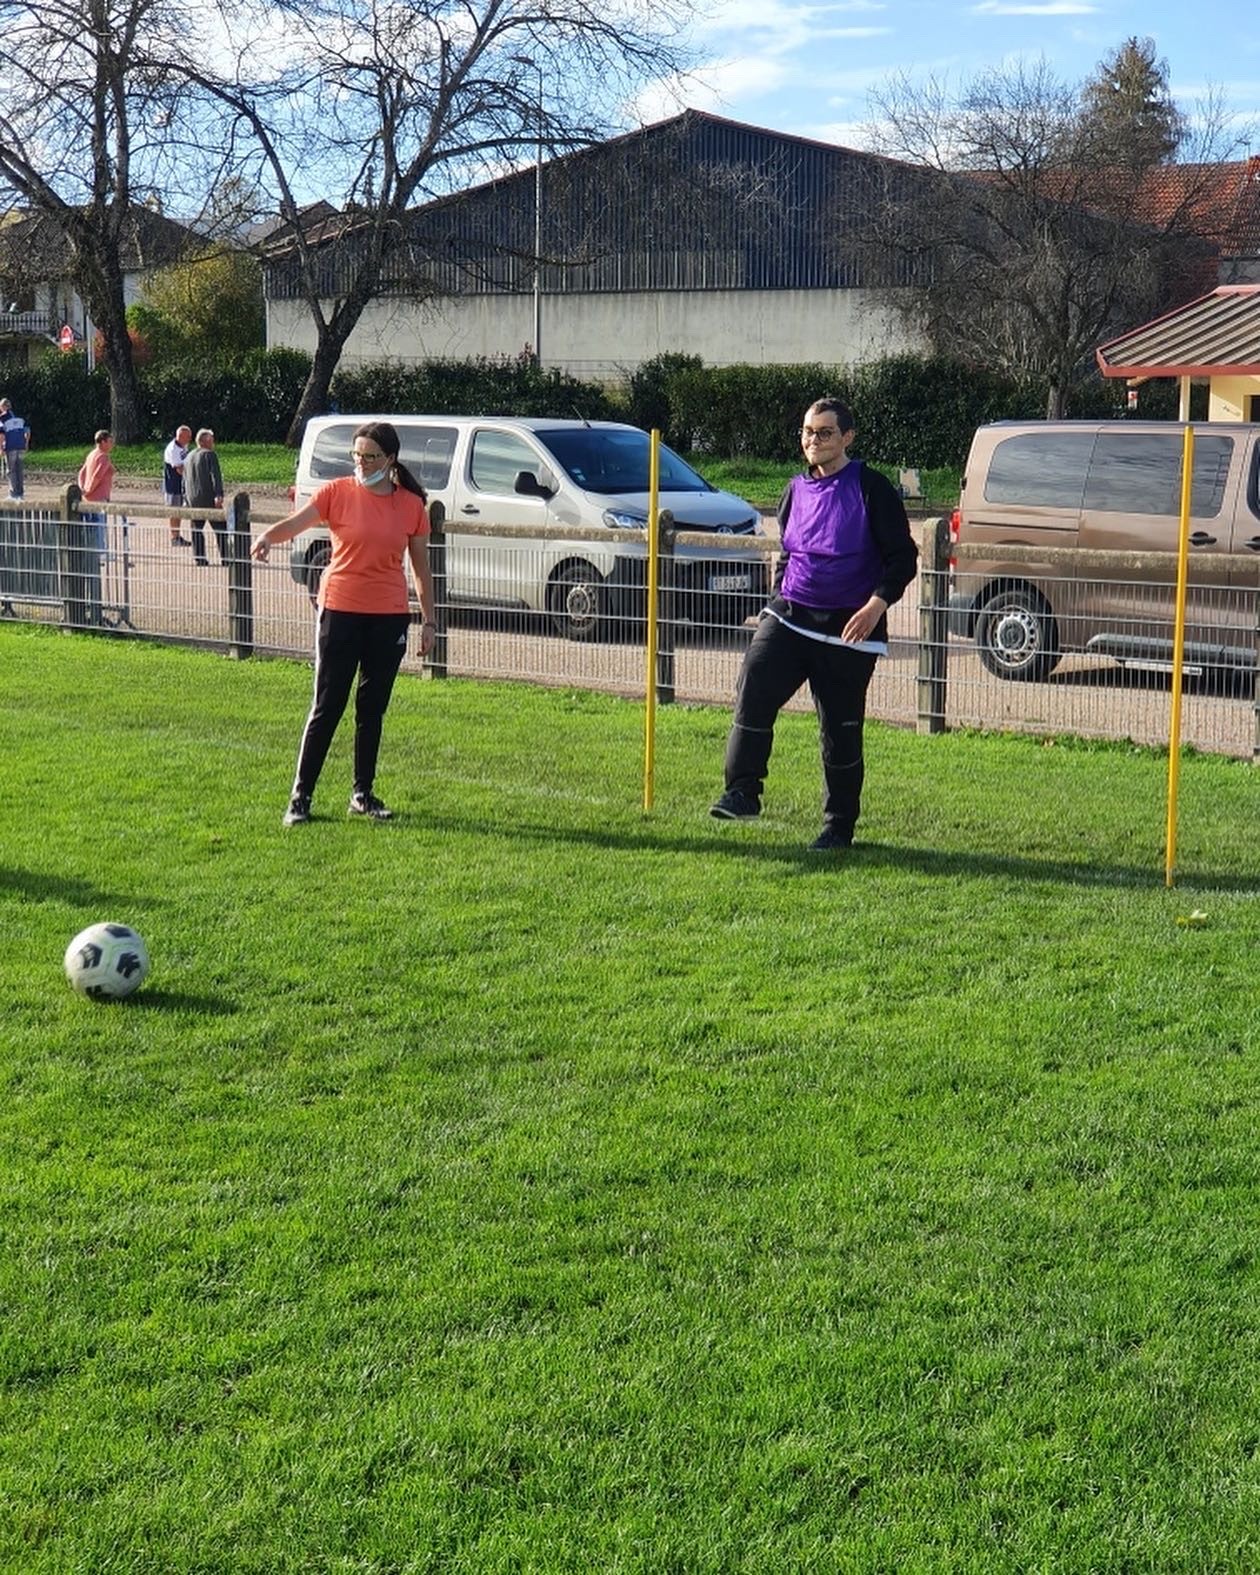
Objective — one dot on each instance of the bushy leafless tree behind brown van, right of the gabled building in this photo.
(1031, 235)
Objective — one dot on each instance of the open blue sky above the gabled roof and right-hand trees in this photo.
(809, 69)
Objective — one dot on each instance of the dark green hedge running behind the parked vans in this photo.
(910, 410)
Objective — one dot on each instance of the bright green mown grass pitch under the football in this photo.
(532, 1185)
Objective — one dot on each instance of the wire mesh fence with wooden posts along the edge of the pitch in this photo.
(552, 610)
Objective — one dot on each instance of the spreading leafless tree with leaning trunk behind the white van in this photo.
(385, 106)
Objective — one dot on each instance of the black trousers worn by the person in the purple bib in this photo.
(776, 665)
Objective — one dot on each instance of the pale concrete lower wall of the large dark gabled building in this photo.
(604, 336)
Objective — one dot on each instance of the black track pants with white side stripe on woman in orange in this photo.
(374, 647)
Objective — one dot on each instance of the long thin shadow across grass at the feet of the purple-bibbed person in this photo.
(757, 845)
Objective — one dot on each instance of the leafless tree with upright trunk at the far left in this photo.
(84, 135)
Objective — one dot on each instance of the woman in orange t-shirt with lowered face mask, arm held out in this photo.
(376, 517)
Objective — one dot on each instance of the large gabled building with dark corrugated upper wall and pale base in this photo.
(699, 234)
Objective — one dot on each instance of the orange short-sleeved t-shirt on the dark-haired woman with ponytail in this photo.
(369, 543)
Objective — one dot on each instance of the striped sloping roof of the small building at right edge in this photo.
(1214, 336)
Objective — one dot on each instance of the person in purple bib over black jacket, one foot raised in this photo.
(848, 557)
